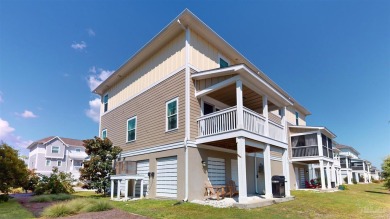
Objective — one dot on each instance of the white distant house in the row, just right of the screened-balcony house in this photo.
(352, 166)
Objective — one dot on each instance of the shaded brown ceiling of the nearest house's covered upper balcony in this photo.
(252, 100)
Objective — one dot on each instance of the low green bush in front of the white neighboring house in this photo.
(57, 182)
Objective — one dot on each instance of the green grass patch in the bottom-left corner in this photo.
(12, 209)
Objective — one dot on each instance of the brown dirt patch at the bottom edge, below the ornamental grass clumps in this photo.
(114, 213)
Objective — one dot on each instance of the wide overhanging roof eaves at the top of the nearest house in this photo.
(186, 19)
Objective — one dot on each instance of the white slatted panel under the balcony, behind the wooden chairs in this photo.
(216, 171)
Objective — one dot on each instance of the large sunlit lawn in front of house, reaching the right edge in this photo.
(359, 201)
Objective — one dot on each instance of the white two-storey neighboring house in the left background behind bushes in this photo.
(65, 153)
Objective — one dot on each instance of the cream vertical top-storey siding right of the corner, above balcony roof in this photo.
(203, 55)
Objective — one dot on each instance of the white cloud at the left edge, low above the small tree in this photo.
(7, 135)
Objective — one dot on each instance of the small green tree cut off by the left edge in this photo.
(13, 171)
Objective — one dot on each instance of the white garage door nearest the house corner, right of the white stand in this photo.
(167, 177)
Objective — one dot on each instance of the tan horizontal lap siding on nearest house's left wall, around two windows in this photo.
(150, 109)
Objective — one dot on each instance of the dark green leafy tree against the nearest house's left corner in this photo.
(96, 172)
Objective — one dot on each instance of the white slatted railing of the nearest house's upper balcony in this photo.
(227, 120)
